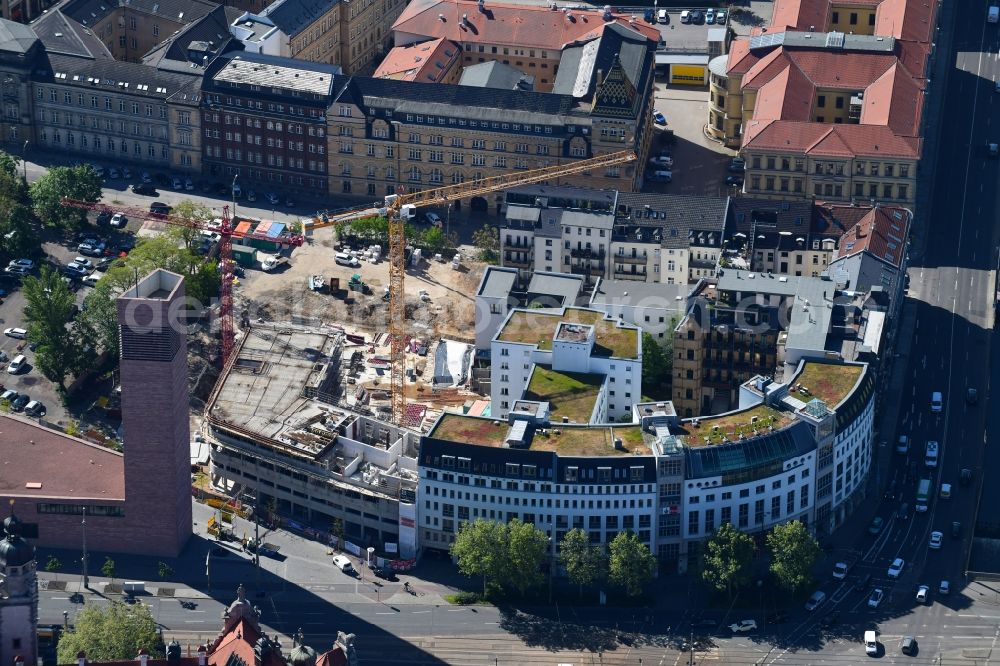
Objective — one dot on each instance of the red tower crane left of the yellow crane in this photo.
(225, 231)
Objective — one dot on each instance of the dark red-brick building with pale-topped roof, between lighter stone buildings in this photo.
(264, 119)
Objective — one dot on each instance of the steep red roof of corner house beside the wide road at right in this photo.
(879, 231)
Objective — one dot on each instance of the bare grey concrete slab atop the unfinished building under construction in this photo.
(264, 387)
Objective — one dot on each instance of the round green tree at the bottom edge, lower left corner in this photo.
(112, 632)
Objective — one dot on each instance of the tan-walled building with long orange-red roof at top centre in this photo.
(530, 38)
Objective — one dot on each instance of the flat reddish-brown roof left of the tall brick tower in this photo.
(43, 463)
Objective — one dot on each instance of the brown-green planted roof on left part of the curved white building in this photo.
(568, 441)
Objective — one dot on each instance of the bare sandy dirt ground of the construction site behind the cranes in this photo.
(284, 295)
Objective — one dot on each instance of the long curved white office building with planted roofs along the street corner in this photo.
(797, 450)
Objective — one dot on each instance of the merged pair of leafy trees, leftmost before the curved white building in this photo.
(508, 556)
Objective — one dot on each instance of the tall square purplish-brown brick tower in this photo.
(155, 413)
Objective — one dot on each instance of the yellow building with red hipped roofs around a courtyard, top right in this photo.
(822, 113)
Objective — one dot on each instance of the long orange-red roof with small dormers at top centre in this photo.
(529, 26)
